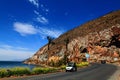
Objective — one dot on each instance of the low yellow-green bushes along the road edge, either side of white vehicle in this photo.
(19, 71)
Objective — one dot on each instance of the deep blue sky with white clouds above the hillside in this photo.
(24, 24)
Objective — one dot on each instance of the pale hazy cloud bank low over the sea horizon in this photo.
(14, 53)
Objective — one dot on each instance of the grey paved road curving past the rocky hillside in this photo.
(94, 72)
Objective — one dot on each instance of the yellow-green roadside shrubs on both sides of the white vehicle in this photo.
(21, 72)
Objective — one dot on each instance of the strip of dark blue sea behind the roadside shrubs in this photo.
(11, 64)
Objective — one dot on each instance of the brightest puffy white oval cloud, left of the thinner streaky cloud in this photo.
(24, 29)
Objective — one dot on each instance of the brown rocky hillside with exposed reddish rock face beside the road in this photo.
(100, 38)
